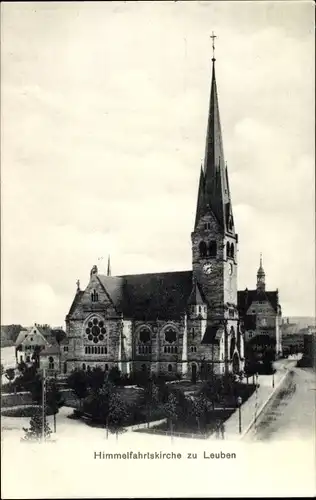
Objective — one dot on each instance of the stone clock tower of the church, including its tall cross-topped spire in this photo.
(214, 239)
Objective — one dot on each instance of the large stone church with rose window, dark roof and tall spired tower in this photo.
(173, 322)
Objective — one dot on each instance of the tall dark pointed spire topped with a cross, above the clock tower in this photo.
(216, 192)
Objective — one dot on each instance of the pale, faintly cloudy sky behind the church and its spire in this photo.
(103, 124)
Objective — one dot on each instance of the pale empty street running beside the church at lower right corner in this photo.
(291, 412)
